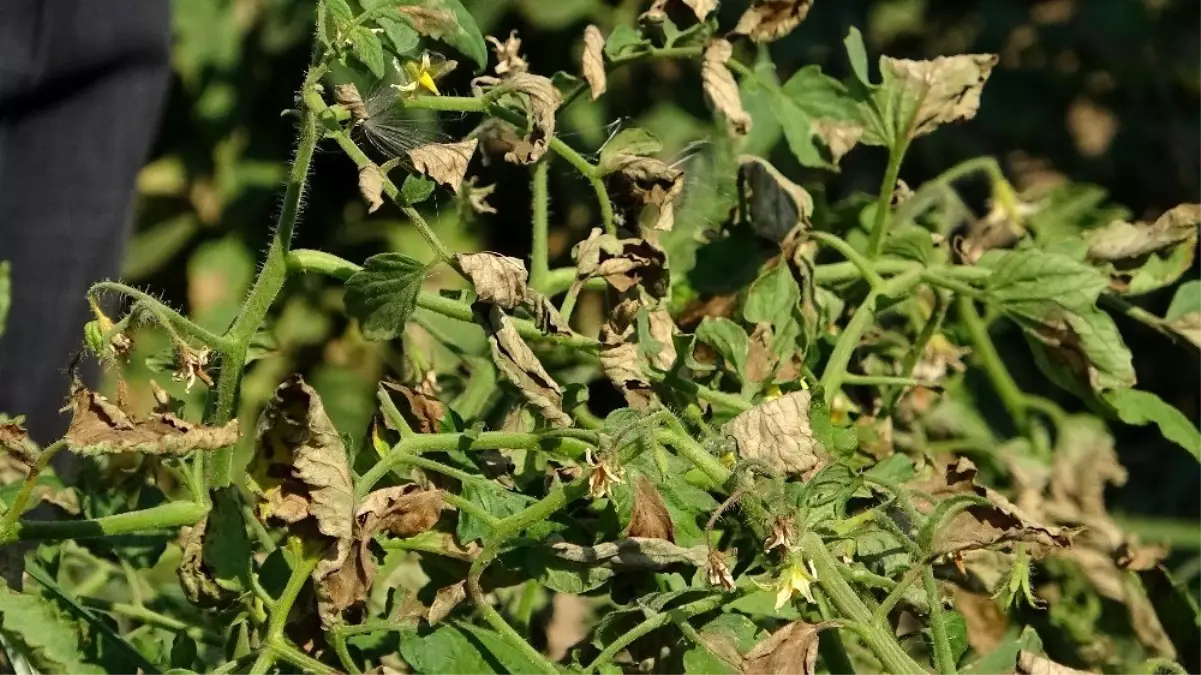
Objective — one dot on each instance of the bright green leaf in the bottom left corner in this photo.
(37, 630)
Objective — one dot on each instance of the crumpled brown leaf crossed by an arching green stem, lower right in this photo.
(999, 524)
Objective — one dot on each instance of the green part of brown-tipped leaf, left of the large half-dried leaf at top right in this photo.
(806, 98)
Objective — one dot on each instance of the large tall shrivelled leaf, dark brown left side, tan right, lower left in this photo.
(302, 477)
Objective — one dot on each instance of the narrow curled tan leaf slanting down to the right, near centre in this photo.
(521, 367)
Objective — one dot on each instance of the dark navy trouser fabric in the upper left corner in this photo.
(82, 87)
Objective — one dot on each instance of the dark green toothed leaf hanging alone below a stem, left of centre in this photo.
(384, 295)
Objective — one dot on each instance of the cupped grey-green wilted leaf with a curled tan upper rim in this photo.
(778, 205)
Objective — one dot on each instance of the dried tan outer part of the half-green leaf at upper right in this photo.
(939, 92)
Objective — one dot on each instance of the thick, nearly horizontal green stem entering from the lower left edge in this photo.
(164, 517)
